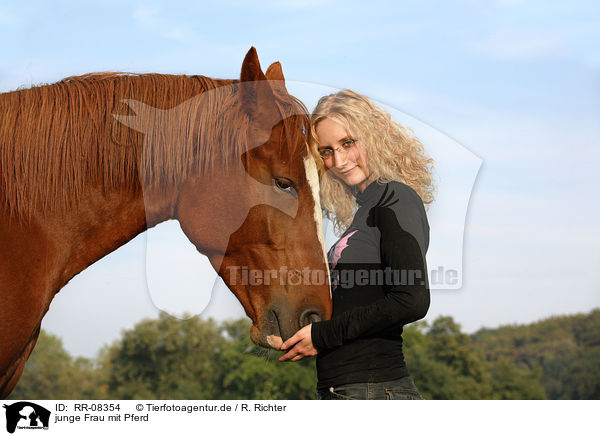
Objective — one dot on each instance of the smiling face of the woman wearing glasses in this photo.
(349, 164)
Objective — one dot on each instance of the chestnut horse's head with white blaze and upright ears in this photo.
(250, 202)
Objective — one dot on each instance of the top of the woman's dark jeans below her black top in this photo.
(400, 389)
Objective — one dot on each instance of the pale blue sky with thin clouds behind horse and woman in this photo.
(503, 94)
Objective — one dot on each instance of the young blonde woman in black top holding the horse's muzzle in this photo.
(375, 178)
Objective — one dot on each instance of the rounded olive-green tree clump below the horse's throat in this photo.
(165, 359)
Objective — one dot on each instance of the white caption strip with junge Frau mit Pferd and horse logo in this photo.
(298, 417)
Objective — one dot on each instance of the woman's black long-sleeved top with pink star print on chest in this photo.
(379, 284)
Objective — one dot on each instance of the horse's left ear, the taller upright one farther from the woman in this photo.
(253, 93)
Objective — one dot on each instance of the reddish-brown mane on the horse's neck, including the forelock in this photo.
(57, 139)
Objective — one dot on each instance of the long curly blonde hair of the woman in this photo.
(394, 153)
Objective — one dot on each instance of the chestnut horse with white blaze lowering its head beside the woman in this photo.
(90, 162)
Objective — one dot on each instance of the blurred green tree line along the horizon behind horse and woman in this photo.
(166, 358)
